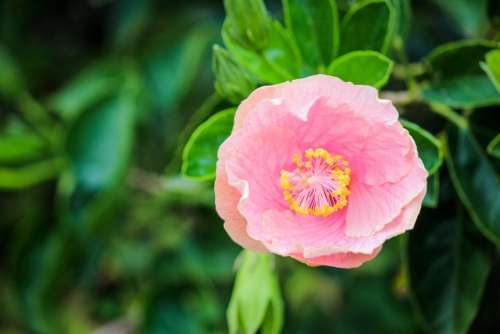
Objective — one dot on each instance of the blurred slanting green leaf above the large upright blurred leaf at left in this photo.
(88, 88)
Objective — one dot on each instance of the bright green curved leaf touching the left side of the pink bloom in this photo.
(200, 153)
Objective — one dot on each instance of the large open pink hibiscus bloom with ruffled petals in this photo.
(319, 170)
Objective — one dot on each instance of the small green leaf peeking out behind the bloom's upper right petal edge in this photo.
(429, 148)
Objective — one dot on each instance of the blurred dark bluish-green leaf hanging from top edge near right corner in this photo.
(470, 16)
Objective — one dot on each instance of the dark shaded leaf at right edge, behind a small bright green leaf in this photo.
(456, 77)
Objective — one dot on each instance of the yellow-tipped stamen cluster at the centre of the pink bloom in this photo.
(319, 185)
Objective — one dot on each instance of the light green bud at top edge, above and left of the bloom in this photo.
(251, 24)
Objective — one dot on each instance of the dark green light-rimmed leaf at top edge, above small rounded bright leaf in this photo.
(368, 25)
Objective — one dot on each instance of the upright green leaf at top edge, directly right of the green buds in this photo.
(315, 28)
